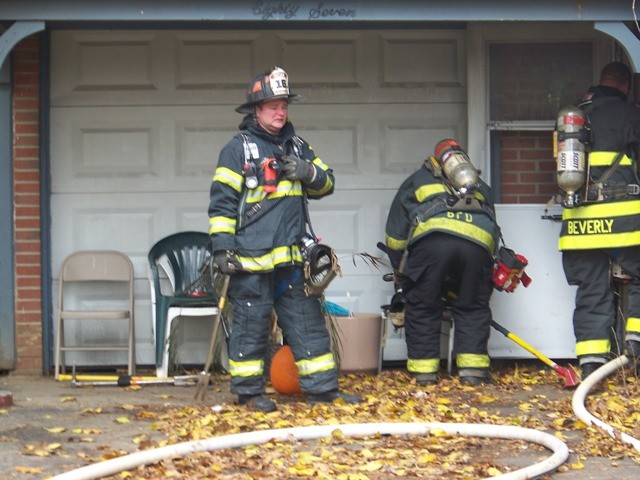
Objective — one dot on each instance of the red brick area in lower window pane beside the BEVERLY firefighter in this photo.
(527, 168)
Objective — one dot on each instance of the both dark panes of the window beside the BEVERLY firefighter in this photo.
(523, 89)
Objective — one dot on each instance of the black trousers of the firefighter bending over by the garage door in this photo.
(434, 262)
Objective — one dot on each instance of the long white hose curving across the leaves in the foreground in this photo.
(134, 460)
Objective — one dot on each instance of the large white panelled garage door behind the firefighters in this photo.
(138, 119)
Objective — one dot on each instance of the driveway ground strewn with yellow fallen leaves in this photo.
(54, 428)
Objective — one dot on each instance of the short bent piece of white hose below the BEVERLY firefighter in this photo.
(579, 397)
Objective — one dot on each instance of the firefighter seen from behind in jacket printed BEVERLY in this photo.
(603, 228)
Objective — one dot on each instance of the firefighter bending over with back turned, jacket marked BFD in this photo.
(441, 234)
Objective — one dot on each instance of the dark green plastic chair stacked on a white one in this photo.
(180, 258)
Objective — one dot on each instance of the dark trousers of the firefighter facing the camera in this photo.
(253, 298)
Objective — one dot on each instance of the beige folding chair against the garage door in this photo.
(80, 300)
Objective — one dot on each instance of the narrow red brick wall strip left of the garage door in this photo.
(26, 183)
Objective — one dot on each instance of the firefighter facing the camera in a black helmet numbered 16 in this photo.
(258, 222)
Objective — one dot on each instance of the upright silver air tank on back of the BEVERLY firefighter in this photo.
(570, 139)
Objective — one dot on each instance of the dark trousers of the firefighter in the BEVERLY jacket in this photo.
(594, 317)
